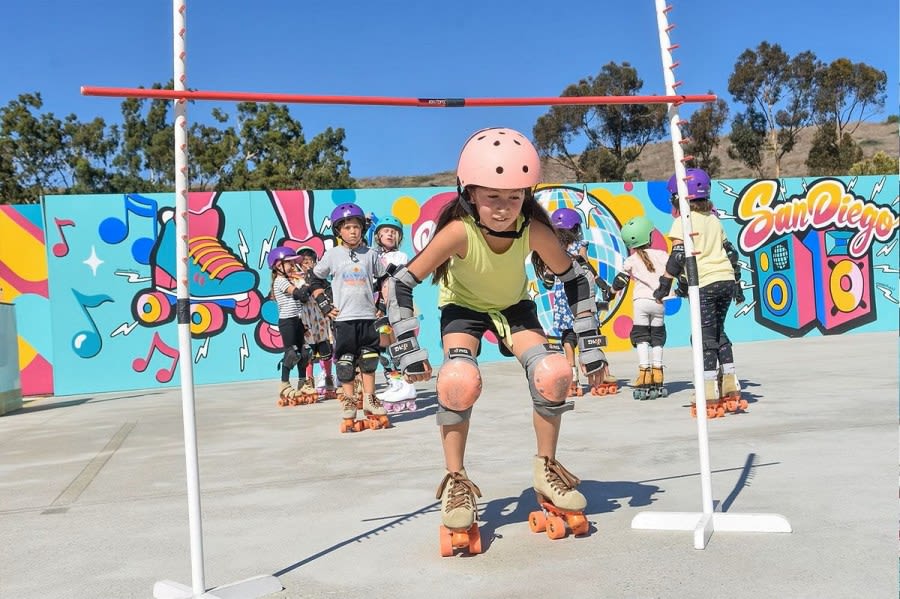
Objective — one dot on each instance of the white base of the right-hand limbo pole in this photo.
(703, 525)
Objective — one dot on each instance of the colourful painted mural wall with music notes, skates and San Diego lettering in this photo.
(92, 277)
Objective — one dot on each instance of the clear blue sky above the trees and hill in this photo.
(414, 48)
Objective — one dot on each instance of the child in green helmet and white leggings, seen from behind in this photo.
(648, 331)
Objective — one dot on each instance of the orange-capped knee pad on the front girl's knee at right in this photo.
(549, 378)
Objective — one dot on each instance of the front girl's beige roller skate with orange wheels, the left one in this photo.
(458, 527)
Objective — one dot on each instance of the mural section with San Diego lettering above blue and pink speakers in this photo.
(821, 256)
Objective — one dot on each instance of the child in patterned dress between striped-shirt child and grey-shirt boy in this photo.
(318, 331)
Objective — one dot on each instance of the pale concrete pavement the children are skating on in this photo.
(93, 500)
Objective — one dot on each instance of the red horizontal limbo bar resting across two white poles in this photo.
(168, 94)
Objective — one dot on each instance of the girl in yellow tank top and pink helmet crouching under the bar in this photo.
(477, 257)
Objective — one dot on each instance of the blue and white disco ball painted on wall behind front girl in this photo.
(606, 251)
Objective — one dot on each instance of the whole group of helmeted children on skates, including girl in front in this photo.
(477, 257)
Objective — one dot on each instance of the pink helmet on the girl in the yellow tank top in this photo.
(498, 158)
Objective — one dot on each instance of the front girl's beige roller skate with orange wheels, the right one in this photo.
(561, 504)
